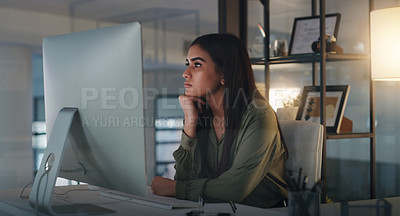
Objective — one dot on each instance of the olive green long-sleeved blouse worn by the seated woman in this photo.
(257, 161)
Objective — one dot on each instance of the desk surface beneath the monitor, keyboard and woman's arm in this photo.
(11, 204)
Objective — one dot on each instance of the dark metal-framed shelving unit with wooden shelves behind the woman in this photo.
(322, 58)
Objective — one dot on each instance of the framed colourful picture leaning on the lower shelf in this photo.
(336, 99)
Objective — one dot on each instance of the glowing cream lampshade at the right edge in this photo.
(385, 44)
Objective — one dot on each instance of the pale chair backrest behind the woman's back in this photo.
(304, 141)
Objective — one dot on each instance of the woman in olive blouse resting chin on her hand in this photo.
(231, 147)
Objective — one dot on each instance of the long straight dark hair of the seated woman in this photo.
(232, 60)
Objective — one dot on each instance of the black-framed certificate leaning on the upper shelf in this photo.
(306, 31)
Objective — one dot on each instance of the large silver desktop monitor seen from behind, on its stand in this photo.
(93, 83)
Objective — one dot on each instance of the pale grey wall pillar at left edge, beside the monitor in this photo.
(16, 160)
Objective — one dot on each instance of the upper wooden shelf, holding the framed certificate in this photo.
(309, 58)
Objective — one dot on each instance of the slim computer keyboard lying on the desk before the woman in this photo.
(150, 200)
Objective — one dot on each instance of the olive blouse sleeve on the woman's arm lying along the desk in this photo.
(258, 148)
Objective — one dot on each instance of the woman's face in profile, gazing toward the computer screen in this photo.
(201, 78)
